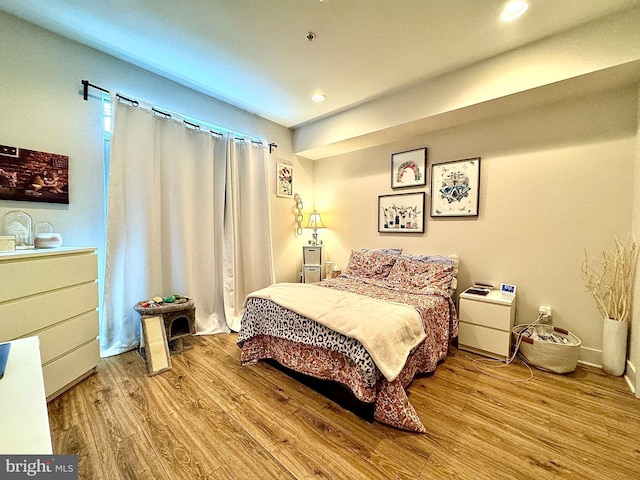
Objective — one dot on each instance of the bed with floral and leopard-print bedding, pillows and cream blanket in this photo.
(387, 318)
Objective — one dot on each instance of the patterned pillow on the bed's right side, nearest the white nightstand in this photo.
(415, 273)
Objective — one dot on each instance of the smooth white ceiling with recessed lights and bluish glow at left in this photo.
(254, 54)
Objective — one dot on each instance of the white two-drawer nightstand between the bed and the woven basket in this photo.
(486, 323)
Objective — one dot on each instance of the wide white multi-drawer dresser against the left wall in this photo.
(53, 294)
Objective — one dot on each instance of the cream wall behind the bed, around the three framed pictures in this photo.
(554, 181)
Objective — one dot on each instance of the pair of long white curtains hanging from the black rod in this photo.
(168, 225)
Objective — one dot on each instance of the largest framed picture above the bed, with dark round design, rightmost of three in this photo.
(455, 188)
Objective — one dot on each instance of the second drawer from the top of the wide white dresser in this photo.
(31, 314)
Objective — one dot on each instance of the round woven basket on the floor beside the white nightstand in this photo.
(546, 355)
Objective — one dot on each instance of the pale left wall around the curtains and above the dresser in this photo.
(42, 109)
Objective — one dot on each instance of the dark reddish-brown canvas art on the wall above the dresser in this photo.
(33, 176)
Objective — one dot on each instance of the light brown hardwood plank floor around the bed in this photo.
(210, 418)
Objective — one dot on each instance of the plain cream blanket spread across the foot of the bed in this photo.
(388, 330)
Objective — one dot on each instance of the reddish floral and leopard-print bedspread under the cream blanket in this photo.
(298, 343)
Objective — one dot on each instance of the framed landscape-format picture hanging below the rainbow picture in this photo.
(401, 213)
